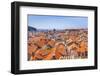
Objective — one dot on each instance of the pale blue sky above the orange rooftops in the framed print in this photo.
(57, 22)
